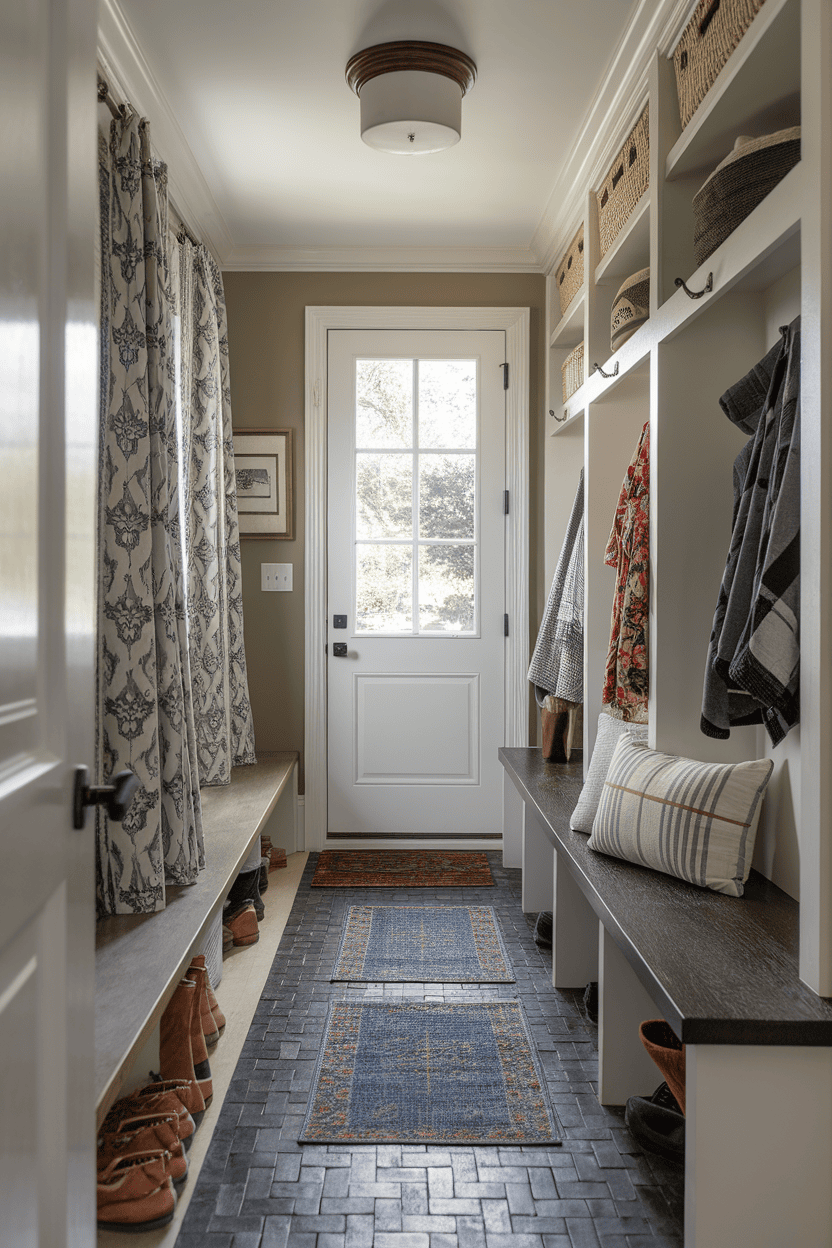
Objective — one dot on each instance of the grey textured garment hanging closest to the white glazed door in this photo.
(557, 666)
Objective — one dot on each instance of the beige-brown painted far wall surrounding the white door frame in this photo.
(266, 346)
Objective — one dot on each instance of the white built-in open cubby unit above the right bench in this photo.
(776, 265)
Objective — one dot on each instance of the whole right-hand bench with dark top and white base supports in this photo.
(724, 973)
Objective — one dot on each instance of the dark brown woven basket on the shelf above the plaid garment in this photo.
(739, 184)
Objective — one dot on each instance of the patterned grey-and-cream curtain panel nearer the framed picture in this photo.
(223, 712)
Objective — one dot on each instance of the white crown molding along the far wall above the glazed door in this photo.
(404, 260)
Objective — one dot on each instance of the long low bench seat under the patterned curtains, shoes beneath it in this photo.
(140, 959)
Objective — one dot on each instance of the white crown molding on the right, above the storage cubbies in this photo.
(614, 112)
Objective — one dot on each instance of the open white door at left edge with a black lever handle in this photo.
(48, 472)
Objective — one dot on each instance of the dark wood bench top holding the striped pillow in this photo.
(722, 970)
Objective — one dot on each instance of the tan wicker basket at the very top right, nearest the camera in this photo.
(710, 37)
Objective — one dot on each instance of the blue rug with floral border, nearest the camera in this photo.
(427, 1074)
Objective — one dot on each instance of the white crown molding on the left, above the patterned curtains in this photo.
(132, 77)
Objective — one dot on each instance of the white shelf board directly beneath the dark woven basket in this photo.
(762, 250)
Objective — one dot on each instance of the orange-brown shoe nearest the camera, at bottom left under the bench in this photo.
(137, 1194)
